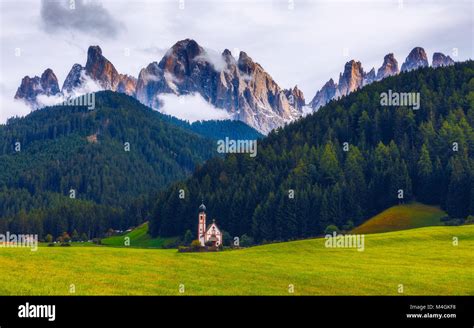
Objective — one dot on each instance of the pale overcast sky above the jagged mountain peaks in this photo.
(296, 42)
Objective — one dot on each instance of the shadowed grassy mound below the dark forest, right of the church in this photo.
(402, 217)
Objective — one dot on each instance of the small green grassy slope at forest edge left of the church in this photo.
(139, 237)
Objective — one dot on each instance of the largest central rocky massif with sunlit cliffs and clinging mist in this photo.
(242, 87)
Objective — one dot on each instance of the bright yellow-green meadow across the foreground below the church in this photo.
(424, 260)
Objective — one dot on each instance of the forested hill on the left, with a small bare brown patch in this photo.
(65, 167)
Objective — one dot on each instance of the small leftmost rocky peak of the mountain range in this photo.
(31, 88)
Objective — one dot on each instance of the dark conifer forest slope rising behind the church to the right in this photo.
(341, 165)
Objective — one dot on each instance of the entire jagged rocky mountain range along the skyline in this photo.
(239, 85)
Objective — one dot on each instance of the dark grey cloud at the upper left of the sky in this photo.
(76, 15)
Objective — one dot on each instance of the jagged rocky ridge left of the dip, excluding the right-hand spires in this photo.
(242, 87)
